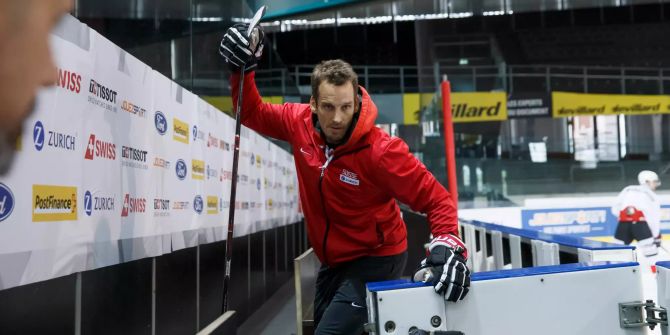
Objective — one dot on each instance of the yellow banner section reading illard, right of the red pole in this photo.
(479, 106)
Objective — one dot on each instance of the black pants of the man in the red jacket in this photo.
(339, 305)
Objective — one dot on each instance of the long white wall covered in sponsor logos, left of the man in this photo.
(116, 151)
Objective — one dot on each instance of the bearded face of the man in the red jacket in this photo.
(335, 110)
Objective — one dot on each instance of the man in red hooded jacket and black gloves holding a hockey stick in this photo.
(350, 174)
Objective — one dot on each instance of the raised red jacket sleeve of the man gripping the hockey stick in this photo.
(268, 119)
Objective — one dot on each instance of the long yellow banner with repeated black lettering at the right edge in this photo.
(582, 104)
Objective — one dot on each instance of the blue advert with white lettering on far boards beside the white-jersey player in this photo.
(583, 222)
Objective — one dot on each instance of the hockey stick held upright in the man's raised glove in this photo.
(236, 156)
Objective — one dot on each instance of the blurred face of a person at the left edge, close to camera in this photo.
(25, 64)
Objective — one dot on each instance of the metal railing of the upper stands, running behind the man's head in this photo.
(295, 80)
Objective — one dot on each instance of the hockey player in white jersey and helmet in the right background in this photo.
(639, 212)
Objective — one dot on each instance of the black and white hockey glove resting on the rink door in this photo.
(445, 268)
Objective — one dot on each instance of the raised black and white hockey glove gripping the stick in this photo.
(241, 51)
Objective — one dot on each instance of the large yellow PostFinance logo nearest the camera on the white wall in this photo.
(54, 203)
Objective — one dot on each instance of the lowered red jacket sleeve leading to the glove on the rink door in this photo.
(405, 178)
